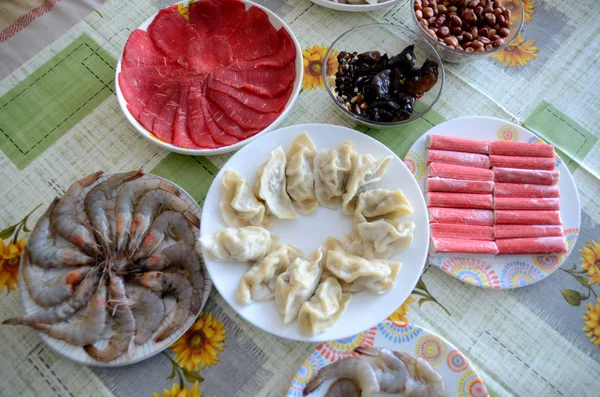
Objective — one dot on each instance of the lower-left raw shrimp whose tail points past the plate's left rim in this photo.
(84, 332)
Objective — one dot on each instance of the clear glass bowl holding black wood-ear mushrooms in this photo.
(384, 75)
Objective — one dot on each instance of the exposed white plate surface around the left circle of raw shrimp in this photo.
(142, 352)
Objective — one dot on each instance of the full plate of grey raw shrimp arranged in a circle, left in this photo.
(111, 274)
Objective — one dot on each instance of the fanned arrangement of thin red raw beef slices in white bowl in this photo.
(211, 82)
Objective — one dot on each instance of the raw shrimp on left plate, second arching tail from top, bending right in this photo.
(127, 197)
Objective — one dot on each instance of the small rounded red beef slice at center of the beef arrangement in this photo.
(204, 56)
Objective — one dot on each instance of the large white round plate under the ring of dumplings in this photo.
(310, 231)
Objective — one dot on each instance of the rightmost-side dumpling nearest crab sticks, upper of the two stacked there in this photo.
(381, 204)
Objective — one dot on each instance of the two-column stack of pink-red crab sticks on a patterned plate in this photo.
(493, 197)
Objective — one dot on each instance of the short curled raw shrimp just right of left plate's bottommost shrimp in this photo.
(150, 308)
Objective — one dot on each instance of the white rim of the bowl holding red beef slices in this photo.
(277, 23)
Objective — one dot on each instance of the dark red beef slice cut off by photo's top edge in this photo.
(216, 17)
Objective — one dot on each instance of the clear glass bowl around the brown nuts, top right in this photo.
(451, 55)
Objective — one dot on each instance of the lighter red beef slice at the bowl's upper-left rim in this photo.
(141, 51)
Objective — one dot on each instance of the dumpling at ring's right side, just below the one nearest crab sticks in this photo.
(379, 239)
